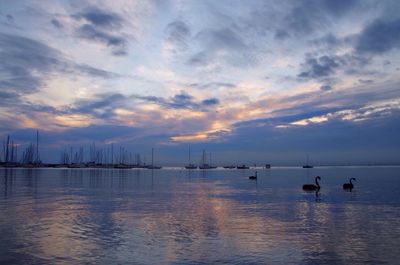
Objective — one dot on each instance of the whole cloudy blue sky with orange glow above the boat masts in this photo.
(249, 81)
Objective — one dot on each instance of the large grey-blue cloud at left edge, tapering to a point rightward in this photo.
(27, 64)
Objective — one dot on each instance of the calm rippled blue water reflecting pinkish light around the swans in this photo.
(81, 216)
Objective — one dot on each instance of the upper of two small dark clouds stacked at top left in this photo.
(100, 18)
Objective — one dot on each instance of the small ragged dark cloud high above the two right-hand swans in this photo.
(319, 67)
